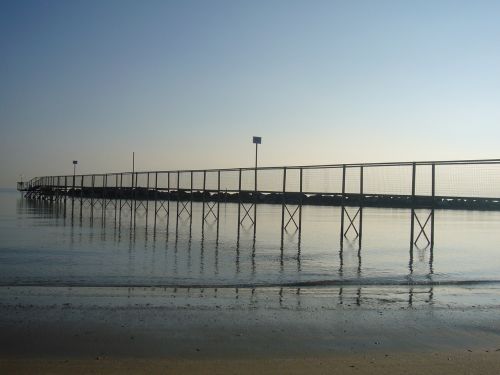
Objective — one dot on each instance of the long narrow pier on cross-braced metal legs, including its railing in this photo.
(421, 187)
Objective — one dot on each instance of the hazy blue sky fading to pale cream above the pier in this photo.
(186, 84)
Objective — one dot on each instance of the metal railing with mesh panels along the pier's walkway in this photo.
(466, 179)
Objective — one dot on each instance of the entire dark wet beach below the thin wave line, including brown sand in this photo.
(267, 330)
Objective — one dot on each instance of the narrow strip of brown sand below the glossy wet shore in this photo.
(414, 363)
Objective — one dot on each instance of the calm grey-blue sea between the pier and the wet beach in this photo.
(46, 243)
